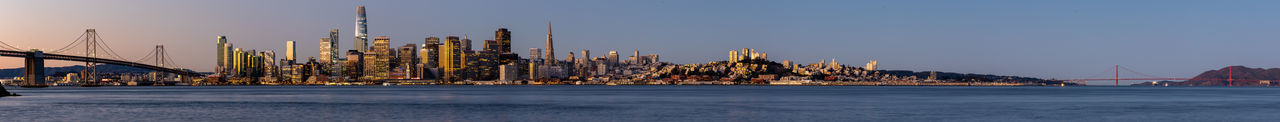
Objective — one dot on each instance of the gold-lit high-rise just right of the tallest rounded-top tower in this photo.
(382, 62)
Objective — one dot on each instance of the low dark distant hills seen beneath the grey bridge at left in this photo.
(60, 71)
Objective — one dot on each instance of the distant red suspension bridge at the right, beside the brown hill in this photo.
(1231, 79)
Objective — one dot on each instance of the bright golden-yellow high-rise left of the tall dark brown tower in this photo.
(452, 58)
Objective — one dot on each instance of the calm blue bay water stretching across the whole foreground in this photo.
(641, 103)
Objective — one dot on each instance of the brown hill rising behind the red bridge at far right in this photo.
(1244, 76)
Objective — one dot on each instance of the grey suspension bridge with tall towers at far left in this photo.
(93, 51)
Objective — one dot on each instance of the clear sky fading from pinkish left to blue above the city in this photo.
(1048, 39)
